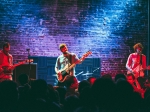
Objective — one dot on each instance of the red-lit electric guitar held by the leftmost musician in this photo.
(9, 69)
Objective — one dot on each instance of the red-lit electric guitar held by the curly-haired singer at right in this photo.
(138, 71)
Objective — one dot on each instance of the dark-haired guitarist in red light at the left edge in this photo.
(6, 59)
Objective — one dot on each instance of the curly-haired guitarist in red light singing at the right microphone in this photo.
(136, 63)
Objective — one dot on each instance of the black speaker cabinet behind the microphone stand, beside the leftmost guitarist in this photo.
(30, 70)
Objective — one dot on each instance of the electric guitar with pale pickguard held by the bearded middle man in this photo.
(65, 71)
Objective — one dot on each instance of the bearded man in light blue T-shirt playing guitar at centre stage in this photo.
(65, 60)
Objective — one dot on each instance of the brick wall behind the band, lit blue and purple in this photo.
(107, 27)
